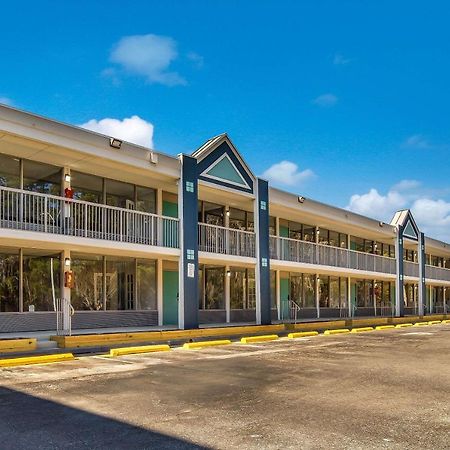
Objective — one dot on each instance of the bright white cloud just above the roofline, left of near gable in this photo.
(132, 129)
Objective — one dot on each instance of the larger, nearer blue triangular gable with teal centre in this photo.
(220, 163)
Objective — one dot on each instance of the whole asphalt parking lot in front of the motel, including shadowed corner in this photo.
(383, 389)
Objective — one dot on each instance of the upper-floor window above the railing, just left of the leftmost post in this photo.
(40, 177)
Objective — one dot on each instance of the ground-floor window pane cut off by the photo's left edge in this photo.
(9, 281)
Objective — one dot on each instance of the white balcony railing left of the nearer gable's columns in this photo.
(31, 211)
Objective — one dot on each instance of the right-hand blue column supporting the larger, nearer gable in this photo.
(262, 274)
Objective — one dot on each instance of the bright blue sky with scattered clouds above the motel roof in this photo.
(346, 102)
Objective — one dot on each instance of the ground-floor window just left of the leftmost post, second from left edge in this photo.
(41, 285)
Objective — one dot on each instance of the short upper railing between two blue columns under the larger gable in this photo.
(225, 241)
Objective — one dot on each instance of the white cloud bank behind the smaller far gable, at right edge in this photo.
(432, 216)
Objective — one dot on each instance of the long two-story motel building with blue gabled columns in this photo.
(156, 240)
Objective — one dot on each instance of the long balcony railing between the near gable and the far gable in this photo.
(287, 249)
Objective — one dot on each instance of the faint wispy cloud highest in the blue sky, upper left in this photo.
(150, 56)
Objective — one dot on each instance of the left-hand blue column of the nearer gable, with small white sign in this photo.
(188, 268)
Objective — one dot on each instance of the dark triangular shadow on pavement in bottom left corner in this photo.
(28, 422)
